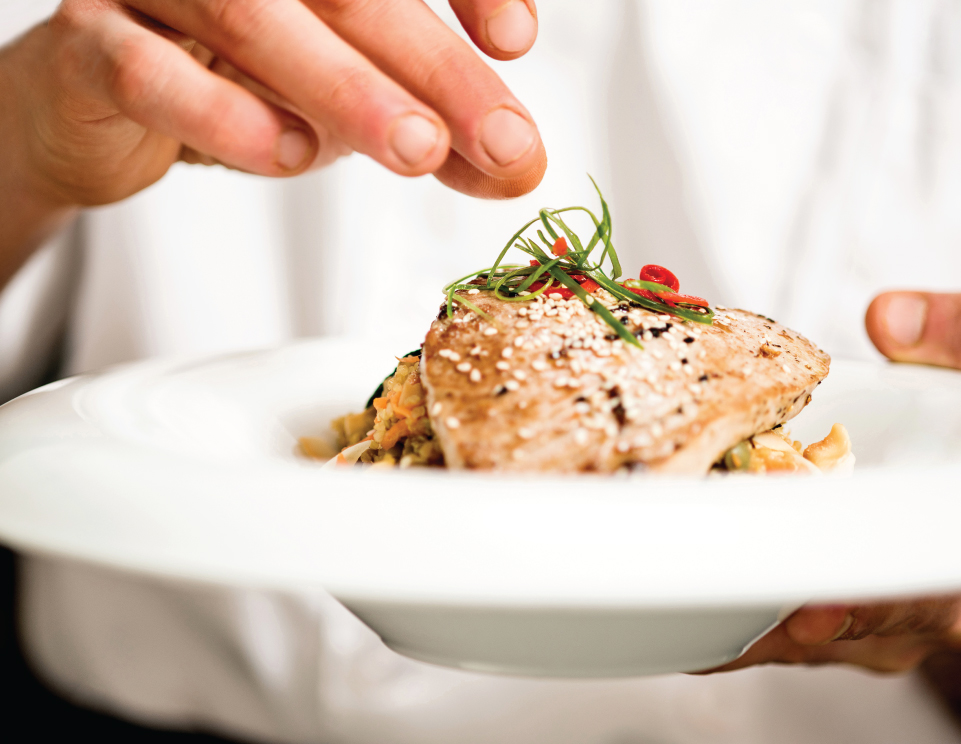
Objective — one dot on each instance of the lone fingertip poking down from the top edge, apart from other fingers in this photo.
(502, 29)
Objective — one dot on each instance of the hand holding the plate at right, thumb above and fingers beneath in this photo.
(921, 328)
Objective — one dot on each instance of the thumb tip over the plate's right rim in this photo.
(921, 327)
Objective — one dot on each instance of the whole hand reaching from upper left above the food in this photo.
(101, 100)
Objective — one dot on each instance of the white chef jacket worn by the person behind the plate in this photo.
(793, 157)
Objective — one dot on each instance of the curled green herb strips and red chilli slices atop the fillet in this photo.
(566, 266)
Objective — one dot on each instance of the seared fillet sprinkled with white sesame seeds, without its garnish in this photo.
(549, 387)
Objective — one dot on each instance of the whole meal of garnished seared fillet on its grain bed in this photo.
(561, 365)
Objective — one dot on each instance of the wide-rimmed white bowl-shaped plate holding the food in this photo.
(187, 469)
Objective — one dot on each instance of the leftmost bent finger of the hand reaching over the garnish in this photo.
(160, 86)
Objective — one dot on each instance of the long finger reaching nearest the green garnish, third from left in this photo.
(489, 127)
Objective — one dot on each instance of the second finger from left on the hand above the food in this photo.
(287, 48)
